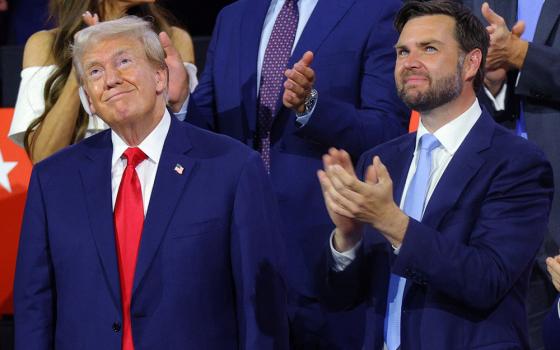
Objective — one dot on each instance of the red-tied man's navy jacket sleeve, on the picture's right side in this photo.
(256, 253)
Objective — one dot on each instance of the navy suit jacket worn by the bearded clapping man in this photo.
(467, 263)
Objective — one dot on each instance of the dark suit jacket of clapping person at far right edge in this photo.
(539, 84)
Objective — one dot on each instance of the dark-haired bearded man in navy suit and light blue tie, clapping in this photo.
(440, 231)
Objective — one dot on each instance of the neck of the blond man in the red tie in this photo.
(134, 133)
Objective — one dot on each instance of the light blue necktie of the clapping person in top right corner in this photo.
(528, 11)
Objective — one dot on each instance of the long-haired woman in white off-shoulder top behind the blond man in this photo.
(48, 114)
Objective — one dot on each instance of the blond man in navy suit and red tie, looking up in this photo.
(154, 234)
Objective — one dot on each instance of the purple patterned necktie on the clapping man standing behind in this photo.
(276, 56)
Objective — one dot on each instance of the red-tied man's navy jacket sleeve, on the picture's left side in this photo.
(34, 291)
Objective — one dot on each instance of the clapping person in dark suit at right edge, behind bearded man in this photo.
(522, 80)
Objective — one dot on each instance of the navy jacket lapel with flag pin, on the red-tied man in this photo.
(168, 188)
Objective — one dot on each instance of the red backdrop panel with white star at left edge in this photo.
(15, 170)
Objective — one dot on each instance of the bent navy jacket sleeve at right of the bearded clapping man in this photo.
(479, 269)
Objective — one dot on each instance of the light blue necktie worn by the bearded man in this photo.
(413, 207)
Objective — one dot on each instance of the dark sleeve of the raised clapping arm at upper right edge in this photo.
(540, 74)
